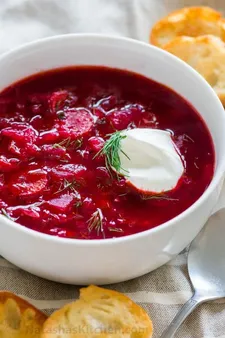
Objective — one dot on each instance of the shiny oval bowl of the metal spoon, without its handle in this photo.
(206, 264)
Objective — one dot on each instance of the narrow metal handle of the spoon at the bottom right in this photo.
(181, 316)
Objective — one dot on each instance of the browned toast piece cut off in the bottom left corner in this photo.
(18, 318)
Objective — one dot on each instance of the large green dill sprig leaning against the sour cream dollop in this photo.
(111, 150)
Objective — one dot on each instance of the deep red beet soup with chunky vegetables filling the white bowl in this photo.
(52, 177)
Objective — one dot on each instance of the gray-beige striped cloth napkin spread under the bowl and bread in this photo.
(161, 292)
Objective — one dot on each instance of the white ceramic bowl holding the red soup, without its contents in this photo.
(112, 260)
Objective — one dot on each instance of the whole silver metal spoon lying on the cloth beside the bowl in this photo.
(206, 267)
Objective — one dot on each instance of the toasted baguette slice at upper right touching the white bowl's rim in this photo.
(206, 54)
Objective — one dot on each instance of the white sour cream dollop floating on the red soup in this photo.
(153, 163)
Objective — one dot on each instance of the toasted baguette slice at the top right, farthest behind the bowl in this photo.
(189, 21)
